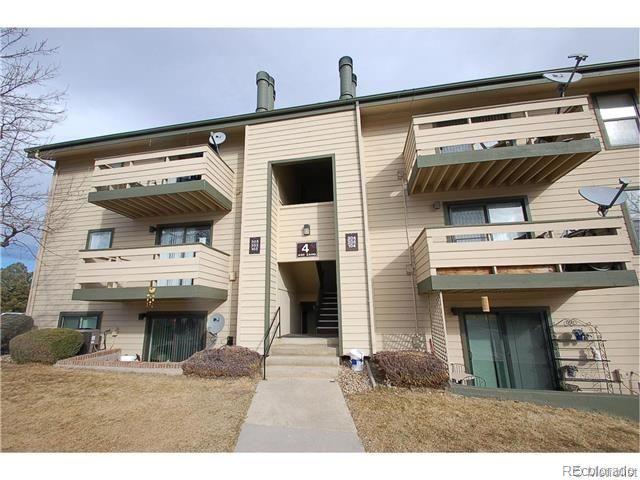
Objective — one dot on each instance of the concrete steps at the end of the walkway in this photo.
(307, 357)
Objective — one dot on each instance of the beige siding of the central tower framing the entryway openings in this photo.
(320, 136)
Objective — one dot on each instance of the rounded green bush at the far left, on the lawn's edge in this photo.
(45, 346)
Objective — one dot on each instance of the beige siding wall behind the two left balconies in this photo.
(73, 216)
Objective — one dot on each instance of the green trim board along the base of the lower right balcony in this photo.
(534, 281)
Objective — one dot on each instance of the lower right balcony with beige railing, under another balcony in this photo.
(573, 254)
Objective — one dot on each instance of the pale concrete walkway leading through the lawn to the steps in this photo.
(298, 415)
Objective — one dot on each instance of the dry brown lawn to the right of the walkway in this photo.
(400, 420)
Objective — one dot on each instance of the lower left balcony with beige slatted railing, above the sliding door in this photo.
(177, 271)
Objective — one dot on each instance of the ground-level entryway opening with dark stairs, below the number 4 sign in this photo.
(308, 298)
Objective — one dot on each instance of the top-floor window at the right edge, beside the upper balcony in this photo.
(618, 118)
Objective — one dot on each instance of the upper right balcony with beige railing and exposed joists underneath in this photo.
(517, 144)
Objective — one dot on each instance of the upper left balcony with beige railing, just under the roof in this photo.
(170, 182)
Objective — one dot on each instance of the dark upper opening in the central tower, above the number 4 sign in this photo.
(309, 181)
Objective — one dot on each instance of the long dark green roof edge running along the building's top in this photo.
(536, 77)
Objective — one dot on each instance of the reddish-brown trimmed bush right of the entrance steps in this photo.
(412, 369)
